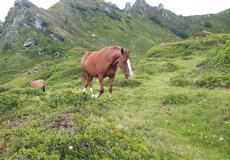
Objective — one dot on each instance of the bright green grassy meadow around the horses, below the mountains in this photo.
(175, 107)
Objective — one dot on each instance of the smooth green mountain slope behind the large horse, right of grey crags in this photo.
(110, 25)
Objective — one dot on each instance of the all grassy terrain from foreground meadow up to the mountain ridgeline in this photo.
(175, 107)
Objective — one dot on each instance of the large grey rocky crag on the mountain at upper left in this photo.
(21, 19)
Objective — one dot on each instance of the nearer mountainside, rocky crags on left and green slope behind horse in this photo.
(88, 24)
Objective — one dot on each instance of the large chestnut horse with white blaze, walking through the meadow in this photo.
(103, 64)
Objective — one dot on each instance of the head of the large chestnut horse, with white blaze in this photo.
(125, 63)
